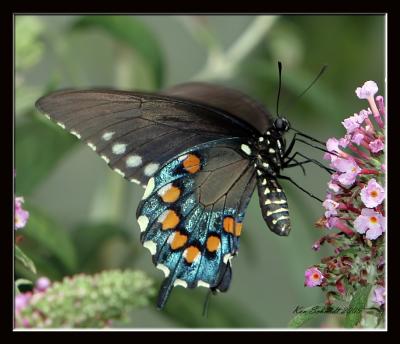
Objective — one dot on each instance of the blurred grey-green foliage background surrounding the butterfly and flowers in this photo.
(83, 214)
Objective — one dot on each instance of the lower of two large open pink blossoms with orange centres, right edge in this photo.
(371, 223)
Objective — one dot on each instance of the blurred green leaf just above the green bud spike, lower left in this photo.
(45, 233)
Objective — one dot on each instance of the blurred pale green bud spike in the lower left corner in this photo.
(87, 301)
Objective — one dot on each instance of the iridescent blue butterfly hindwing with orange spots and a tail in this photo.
(192, 212)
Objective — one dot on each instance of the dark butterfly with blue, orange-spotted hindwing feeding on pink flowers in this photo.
(199, 150)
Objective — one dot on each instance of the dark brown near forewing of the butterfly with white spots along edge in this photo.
(136, 133)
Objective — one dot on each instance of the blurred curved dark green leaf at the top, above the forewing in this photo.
(135, 34)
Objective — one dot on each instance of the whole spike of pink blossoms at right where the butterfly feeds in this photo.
(355, 205)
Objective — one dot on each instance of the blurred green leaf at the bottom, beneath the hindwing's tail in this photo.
(187, 308)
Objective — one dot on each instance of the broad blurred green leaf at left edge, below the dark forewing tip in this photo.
(39, 146)
